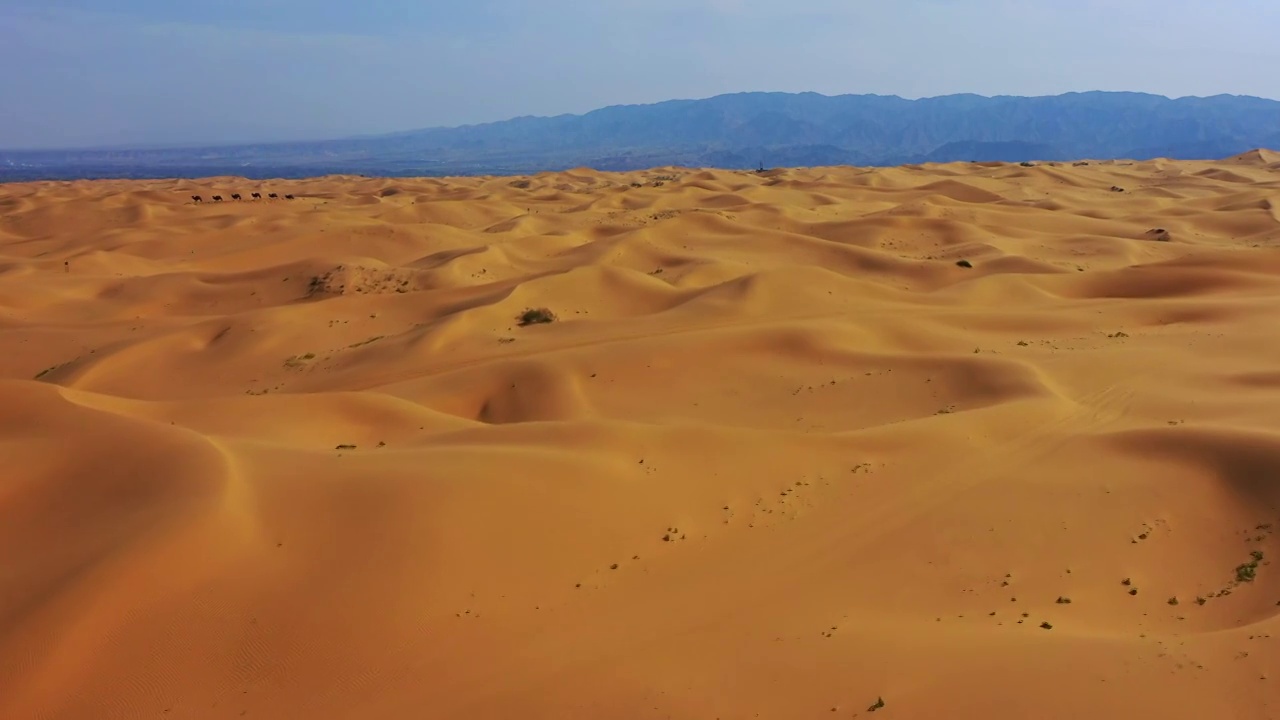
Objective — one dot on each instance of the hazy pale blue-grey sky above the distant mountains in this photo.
(77, 74)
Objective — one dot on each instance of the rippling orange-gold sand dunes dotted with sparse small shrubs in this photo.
(781, 455)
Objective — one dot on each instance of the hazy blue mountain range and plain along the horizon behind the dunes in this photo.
(733, 131)
